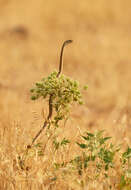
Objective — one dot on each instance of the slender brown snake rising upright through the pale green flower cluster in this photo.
(51, 96)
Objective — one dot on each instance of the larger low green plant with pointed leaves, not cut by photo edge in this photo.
(95, 149)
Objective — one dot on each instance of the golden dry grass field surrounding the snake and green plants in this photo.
(31, 35)
